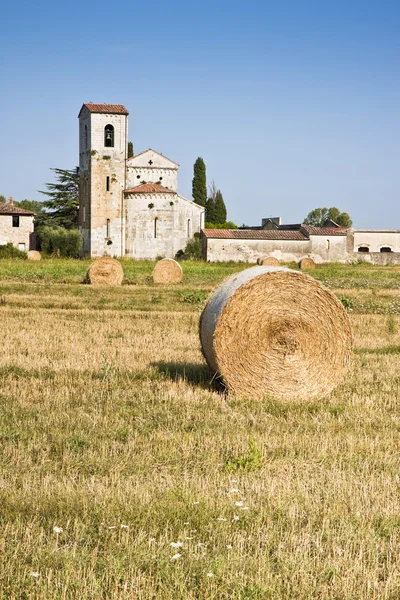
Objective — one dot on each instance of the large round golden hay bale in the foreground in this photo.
(272, 330)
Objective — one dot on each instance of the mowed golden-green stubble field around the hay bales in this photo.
(126, 474)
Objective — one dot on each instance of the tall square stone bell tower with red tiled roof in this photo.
(103, 151)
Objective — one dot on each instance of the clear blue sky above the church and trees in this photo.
(292, 105)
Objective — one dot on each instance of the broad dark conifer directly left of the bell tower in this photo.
(63, 199)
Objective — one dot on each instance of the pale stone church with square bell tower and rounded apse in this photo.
(128, 206)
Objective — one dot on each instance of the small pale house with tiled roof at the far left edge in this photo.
(16, 226)
